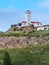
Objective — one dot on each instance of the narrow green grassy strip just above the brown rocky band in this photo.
(29, 33)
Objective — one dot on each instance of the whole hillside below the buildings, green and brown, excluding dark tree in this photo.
(25, 48)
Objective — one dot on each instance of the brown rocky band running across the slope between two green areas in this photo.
(13, 42)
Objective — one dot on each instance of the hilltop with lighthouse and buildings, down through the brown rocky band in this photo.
(25, 33)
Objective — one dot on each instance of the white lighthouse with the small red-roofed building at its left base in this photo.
(27, 21)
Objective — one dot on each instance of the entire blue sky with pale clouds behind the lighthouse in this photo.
(13, 11)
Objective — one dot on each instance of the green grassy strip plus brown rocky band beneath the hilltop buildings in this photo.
(21, 39)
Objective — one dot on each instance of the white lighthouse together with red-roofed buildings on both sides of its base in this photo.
(28, 22)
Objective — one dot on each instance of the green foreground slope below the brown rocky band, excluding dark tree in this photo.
(31, 55)
